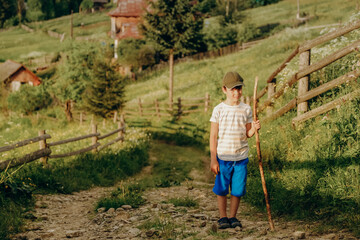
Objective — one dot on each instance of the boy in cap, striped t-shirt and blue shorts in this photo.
(231, 125)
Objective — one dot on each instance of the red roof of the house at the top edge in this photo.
(129, 8)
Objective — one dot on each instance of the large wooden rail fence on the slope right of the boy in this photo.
(305, 69)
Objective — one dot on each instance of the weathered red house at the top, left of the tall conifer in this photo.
(125, 19)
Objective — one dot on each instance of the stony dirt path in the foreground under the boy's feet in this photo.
(73, 216)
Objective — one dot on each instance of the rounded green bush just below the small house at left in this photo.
(29, 99)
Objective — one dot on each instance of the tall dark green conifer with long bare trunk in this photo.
(175, 27)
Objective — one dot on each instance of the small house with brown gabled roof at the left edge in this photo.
(14, 74)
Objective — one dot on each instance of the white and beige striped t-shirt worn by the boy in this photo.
(232, 140)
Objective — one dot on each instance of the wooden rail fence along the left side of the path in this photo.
(45, 152)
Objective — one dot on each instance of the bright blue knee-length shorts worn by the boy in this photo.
(233, 174)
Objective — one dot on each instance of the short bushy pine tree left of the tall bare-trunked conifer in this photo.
(106, 91)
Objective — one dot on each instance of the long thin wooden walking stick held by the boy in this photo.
(260, 160)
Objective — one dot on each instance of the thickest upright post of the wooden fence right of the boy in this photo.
(303, 87)
